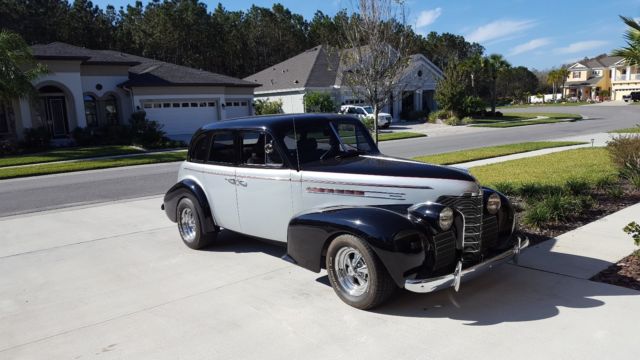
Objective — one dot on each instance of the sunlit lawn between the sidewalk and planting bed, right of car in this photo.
(590, 164)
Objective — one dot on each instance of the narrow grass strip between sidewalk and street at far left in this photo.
(90, 165)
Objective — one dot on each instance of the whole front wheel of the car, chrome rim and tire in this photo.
(356, 274)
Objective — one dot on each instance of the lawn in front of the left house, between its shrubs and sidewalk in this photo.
(68, 154)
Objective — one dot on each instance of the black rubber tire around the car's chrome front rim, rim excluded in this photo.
(380, 285)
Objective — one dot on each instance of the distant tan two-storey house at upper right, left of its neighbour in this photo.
(587, 78)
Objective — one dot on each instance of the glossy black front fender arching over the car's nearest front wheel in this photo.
(396, 240)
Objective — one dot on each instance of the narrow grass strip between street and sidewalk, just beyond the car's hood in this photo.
(457, 157)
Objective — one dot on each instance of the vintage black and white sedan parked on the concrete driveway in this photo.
(319, 185)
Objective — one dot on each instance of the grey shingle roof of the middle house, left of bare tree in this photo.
(313, 68)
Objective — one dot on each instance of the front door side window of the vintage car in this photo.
(259, 149)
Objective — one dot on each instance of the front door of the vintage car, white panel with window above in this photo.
(263, 185)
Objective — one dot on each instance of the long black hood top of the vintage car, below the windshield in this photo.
(387, 166)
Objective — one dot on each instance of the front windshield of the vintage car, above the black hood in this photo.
(319, 141)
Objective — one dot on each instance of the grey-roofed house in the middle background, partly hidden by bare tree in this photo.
(319, 69)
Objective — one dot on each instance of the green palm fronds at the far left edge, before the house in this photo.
(17, 67)
